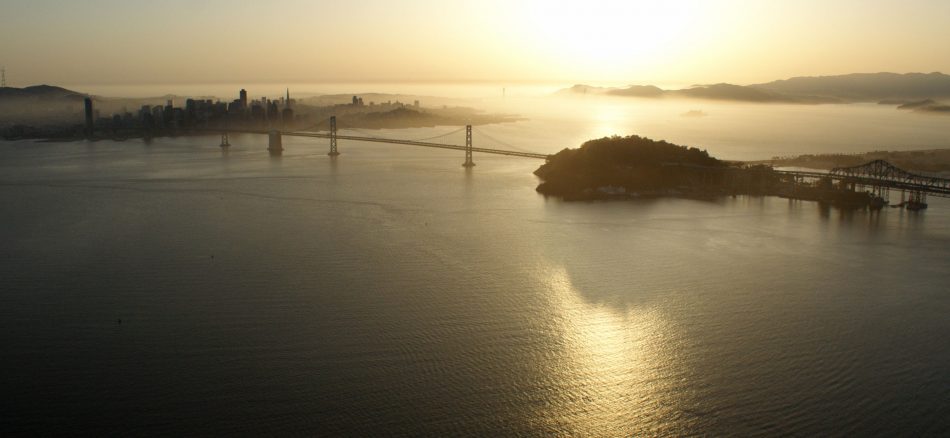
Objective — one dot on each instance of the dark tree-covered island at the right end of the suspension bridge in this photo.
(631, 167)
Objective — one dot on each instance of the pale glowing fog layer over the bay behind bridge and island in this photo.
(728, 130)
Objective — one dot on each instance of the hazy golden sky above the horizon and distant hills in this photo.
(675, 42)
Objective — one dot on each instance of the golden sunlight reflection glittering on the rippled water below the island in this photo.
(610, 375)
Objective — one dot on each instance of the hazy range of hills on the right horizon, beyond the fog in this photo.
(863, 87)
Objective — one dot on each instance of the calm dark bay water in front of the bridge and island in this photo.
(389, 291)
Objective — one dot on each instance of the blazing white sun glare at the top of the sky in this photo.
(609, 38)
